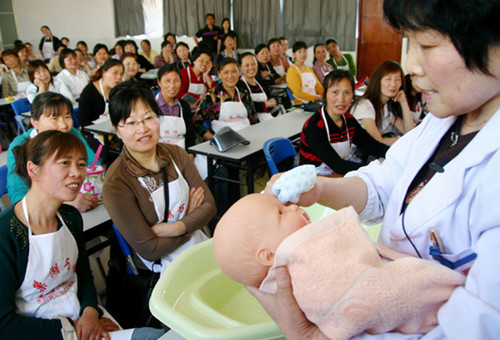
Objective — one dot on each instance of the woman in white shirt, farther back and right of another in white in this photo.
(74, 78)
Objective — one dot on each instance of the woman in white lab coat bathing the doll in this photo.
(438, 187)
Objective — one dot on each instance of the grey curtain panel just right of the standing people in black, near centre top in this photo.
(256, 21)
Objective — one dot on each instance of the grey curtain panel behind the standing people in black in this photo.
(186, 17)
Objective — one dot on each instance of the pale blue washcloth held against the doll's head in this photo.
(293, 183)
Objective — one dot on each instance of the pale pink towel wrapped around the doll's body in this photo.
(346, 284)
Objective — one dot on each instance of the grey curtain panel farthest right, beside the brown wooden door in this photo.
(317, 20)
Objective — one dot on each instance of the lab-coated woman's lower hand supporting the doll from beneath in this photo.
(285, 311)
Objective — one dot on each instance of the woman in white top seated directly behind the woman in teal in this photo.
(42, 81)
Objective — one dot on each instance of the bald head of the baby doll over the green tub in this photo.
(248, 235)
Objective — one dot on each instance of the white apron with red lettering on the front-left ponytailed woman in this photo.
(50, 284)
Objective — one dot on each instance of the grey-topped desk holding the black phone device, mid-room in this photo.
(247, 156)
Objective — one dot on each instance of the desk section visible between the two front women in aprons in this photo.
(96, 222)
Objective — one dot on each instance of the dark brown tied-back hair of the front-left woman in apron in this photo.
(44, 145)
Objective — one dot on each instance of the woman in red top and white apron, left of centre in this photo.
(196, 78)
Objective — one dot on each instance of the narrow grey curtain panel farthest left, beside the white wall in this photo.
(129, 17)
